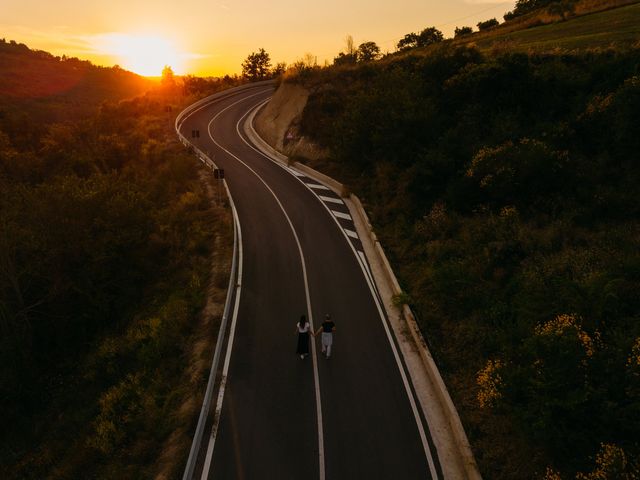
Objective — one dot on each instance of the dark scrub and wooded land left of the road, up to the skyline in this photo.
(107, 240)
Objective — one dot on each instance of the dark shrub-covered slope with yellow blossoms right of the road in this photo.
(503, 186)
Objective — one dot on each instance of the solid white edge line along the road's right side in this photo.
(372, 288)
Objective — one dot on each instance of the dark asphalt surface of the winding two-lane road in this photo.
(352, 416)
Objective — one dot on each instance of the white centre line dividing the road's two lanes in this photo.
(306, 287)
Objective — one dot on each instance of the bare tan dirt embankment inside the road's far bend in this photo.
(278, 123)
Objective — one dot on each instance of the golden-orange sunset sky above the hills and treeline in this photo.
(212, 37)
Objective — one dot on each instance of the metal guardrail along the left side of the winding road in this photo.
(204, 158)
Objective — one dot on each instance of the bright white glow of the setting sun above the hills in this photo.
(143, 54)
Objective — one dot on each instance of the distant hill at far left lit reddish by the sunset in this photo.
(38, 83)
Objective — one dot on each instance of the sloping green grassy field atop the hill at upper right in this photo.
(620, 26)
